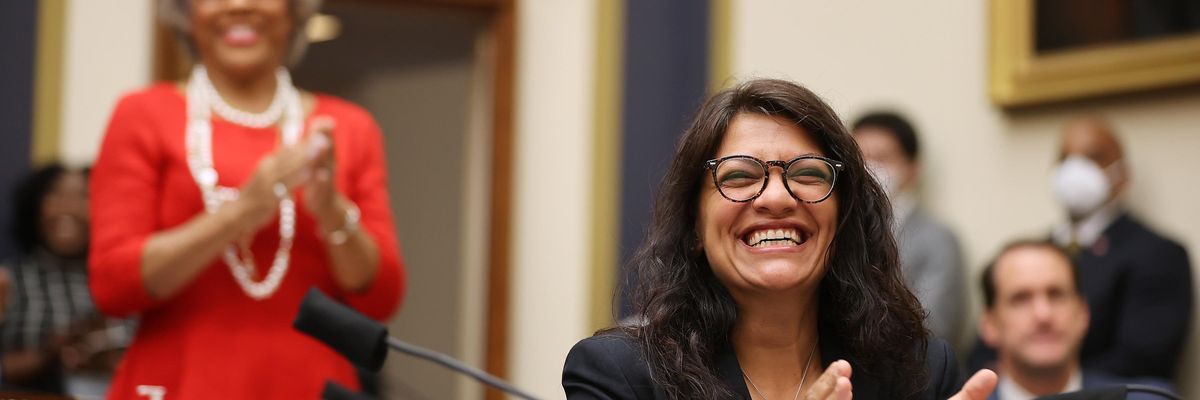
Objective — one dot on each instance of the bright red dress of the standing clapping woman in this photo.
(211, 341)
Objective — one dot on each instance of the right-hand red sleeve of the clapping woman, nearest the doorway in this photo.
(368, 187)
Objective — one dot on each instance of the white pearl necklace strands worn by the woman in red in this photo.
(203, 98)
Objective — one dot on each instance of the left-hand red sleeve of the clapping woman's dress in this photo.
(124, 208)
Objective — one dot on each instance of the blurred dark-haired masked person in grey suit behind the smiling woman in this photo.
(929, 252)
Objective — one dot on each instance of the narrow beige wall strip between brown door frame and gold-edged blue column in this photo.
(556, 50)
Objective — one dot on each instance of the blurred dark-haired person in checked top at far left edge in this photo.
(53, 338)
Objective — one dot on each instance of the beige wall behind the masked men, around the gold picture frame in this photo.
(987, 171)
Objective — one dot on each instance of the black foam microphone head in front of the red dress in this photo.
(359, 339)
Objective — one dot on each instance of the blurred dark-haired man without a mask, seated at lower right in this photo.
(1036, 319)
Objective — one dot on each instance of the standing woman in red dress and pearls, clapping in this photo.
(219, 202)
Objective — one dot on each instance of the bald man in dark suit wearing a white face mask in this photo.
(1137, 283)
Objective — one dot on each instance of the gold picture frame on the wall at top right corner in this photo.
(1021, 77)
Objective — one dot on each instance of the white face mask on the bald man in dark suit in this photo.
(1081, 186)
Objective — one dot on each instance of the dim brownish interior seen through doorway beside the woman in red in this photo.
(422, 92)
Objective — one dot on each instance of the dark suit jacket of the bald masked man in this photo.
(1139, 290)
